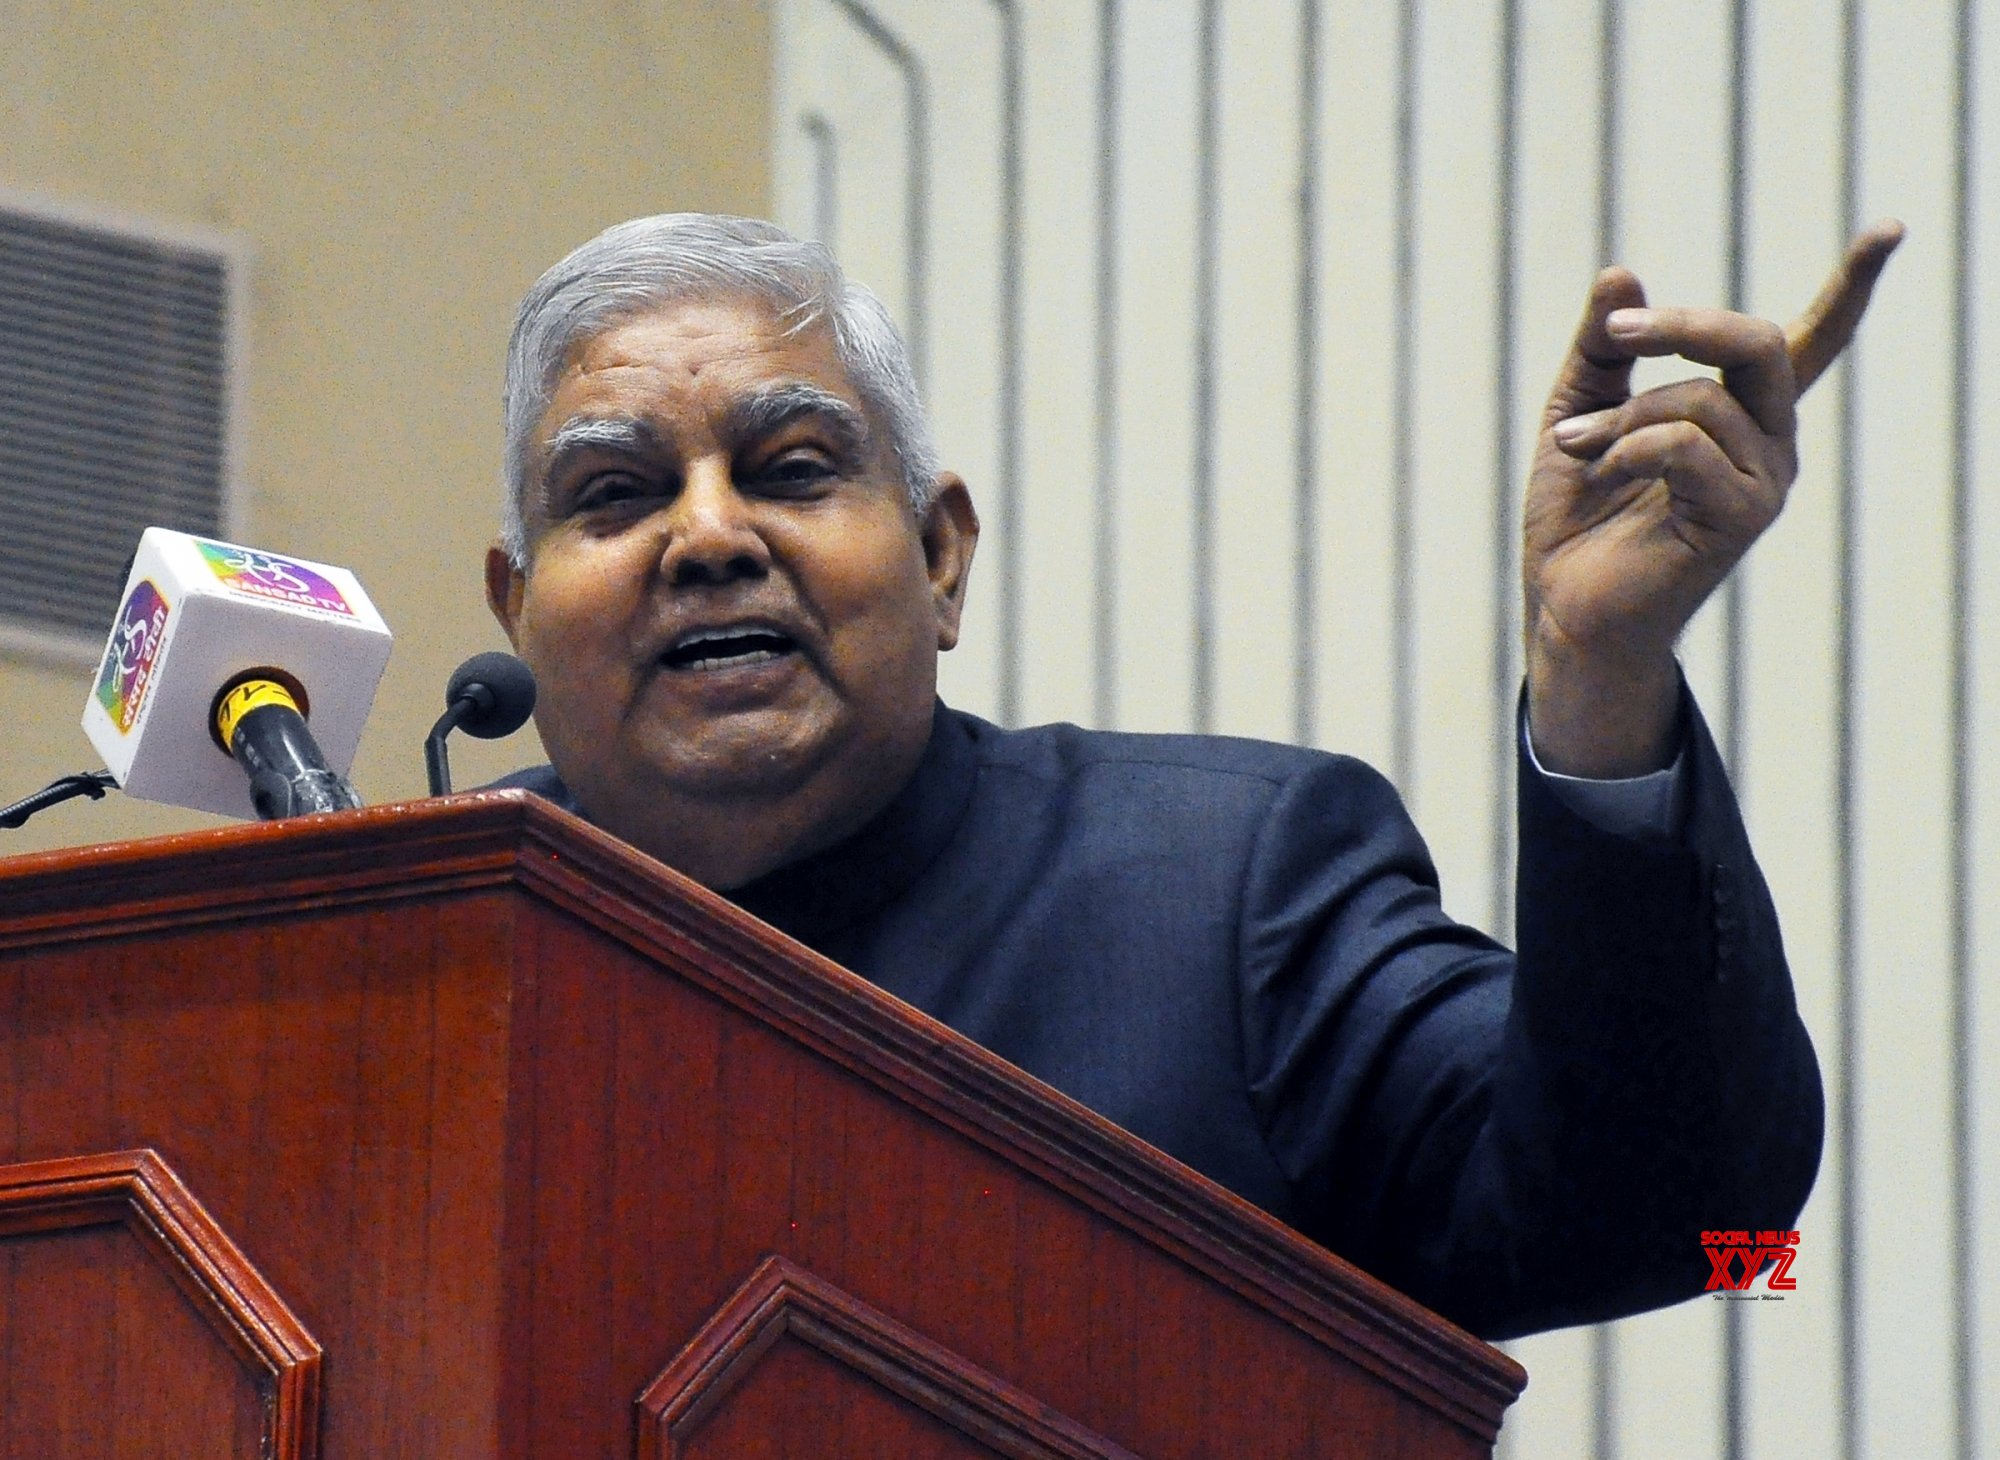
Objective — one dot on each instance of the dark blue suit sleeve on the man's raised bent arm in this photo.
(1539, 1139)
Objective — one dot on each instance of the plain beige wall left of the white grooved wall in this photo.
(399, 175)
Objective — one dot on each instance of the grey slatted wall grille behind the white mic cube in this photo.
(113, 411)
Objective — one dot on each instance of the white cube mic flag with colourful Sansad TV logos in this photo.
(197, 615)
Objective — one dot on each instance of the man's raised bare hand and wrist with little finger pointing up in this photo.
(1641, 505)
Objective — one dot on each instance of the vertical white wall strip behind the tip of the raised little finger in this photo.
(1905, 751)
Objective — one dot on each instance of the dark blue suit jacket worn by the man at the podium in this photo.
(1235, 951)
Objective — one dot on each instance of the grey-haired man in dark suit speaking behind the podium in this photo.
(731, 559)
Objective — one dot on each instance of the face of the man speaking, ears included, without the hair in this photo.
(729, 607)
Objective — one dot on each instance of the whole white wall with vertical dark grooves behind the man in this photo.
(1377, 391)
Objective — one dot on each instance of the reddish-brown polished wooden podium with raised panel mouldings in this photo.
(459, 1129)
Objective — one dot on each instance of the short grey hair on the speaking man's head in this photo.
(669, 259)
